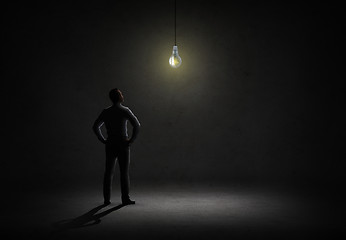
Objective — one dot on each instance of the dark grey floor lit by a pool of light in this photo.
(176, 212)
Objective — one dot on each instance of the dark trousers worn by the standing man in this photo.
(117, 150)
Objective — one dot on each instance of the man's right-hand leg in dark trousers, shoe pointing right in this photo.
(124, 165)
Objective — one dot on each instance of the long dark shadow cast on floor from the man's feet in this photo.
(88, 219)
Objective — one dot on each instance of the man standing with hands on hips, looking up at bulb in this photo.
(118, 143)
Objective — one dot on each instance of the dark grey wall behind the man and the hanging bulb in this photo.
(258, 95)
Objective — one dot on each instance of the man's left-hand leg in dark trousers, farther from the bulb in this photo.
(109, 172)
